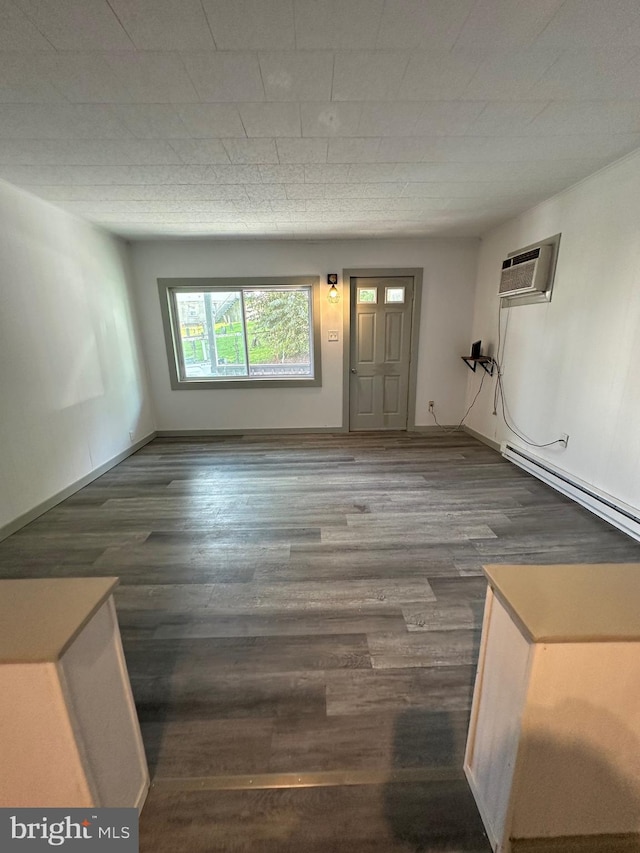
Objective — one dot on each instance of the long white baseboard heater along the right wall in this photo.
(621, 515)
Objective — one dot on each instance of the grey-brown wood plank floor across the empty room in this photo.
(301, 619)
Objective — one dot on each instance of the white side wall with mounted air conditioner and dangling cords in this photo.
(572, 365)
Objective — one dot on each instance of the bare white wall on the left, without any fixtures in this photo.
(72, 385)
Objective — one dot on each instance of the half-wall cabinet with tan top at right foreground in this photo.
(553, 753)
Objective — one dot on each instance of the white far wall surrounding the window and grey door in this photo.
(449, 276)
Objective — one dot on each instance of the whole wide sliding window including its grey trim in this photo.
(242, 332)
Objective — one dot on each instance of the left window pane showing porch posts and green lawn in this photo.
(212, 334)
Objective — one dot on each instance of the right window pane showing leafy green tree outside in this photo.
(279, 332)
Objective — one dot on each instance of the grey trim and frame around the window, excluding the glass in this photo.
(168, 286)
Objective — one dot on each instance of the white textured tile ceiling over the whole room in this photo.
(313, 118)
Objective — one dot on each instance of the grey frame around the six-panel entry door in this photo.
(381, 272)
